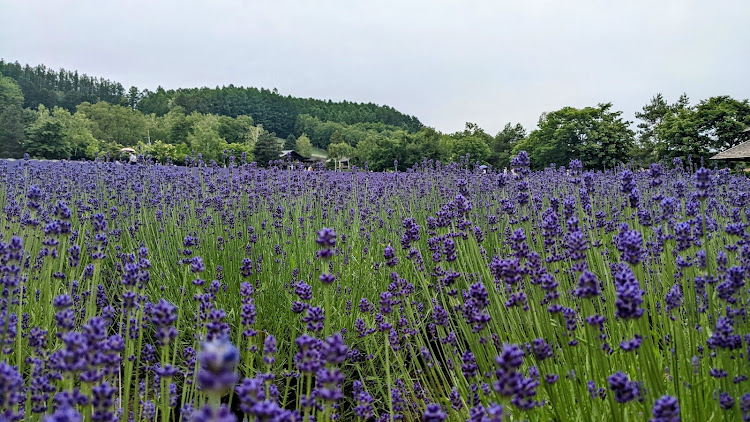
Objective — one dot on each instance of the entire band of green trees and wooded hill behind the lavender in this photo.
(38, 116)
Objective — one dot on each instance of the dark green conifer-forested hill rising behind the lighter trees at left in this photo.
(277, 113)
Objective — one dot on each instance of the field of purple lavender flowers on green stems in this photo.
(439, 293)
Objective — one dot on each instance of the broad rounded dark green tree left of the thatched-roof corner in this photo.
(598, 136)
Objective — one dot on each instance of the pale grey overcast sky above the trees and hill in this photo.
(447, 62)
